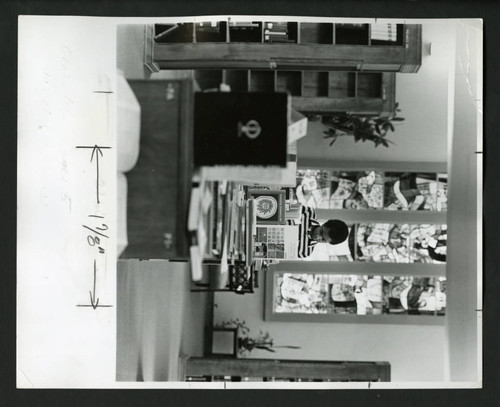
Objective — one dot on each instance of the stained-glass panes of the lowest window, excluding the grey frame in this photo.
(310, 293)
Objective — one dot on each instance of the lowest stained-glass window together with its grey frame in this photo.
(353, 293)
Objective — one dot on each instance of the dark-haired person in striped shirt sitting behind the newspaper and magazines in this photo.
(311, 232)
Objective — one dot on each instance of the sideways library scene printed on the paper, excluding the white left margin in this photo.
(232, 135)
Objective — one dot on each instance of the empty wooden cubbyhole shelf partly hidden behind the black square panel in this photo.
(318, 92)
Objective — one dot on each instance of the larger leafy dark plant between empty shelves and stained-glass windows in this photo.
(361, 128)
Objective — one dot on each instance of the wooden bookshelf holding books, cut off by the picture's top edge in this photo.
(286, 45)
